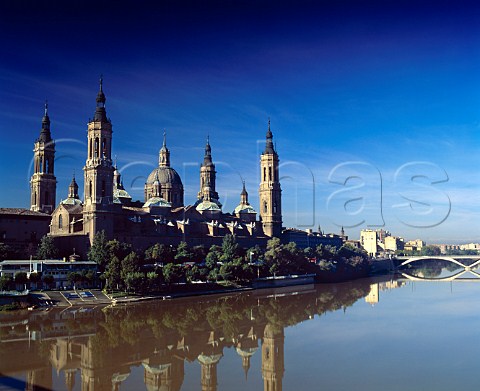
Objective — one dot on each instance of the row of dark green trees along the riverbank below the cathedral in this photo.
(162, 268)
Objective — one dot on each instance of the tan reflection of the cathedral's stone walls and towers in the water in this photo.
(163, 368)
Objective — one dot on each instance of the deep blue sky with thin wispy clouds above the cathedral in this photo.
(374, 106)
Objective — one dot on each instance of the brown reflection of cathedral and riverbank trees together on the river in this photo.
(90, 349)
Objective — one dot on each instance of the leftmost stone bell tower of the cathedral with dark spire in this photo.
(43, 184)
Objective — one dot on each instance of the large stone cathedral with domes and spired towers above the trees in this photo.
(162, 217)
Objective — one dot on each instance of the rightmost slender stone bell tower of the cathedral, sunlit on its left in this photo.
(270, 193)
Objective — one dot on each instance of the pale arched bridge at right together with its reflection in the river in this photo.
(449, 258)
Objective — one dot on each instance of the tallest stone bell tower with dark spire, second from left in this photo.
(98, 172)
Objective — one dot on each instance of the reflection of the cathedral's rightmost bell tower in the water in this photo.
(272, 358)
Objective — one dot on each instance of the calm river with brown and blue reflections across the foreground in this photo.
(373, 334)
